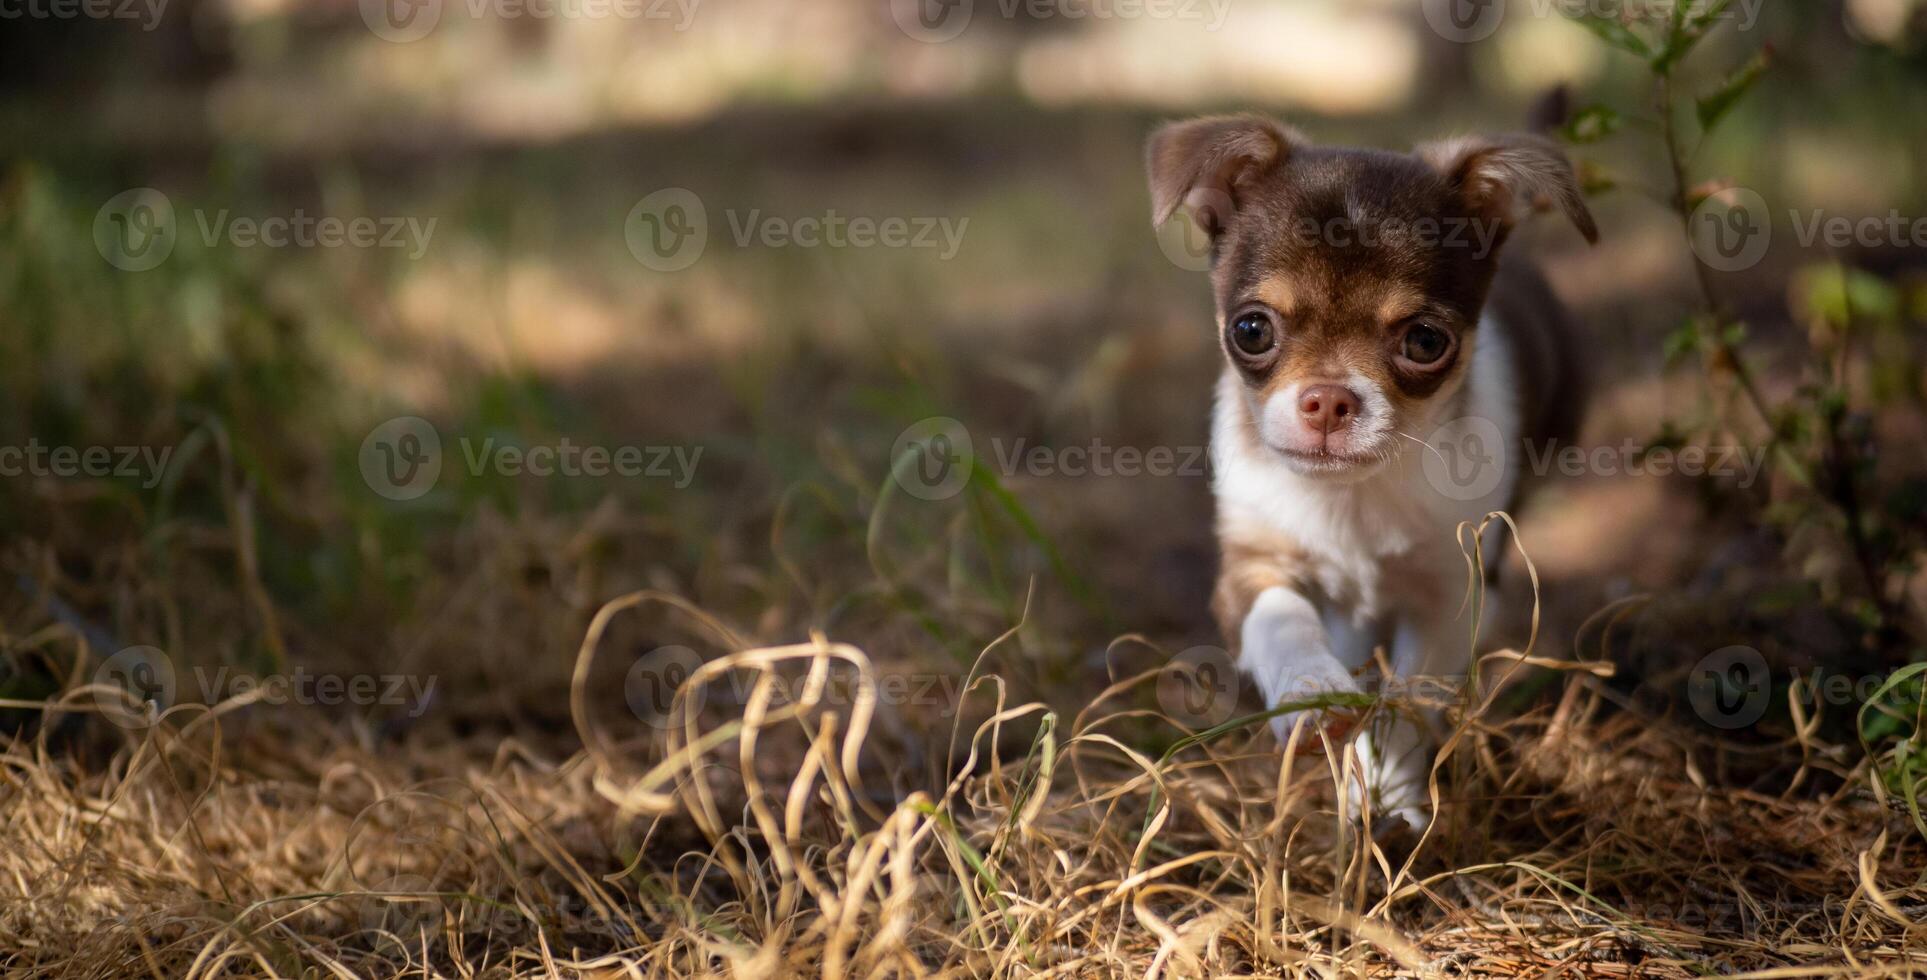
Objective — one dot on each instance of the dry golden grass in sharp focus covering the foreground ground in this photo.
(1579, 838)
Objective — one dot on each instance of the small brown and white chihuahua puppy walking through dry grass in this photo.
(1367, 324)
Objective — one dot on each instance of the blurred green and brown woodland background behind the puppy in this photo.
(541, 224)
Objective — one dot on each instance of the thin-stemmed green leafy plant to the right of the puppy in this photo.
(1818, 434)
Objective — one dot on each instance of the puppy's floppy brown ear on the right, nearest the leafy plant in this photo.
(1508, 178)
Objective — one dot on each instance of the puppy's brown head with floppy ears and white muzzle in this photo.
(1350, 282)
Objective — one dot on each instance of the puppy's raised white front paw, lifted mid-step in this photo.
(1288, 654)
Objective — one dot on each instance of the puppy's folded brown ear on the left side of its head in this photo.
(1205, 163)
